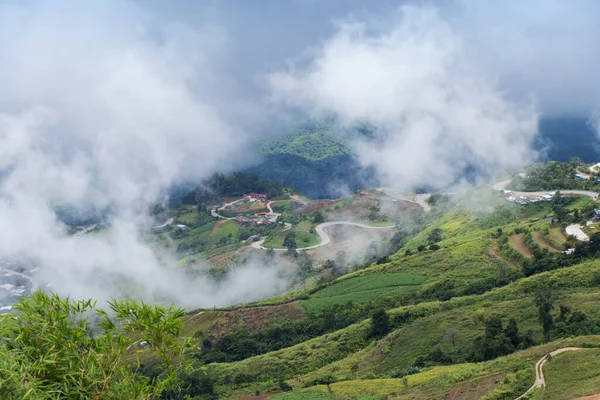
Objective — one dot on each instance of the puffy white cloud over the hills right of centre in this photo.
(436, 113)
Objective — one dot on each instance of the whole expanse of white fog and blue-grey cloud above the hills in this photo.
(107, 104)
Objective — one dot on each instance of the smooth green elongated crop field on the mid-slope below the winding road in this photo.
(363, 289)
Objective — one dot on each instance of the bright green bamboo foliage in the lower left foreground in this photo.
(52, 349)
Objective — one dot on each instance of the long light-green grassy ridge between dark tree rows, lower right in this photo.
(337, 353)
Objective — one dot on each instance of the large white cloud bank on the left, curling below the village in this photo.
(102, 105)
